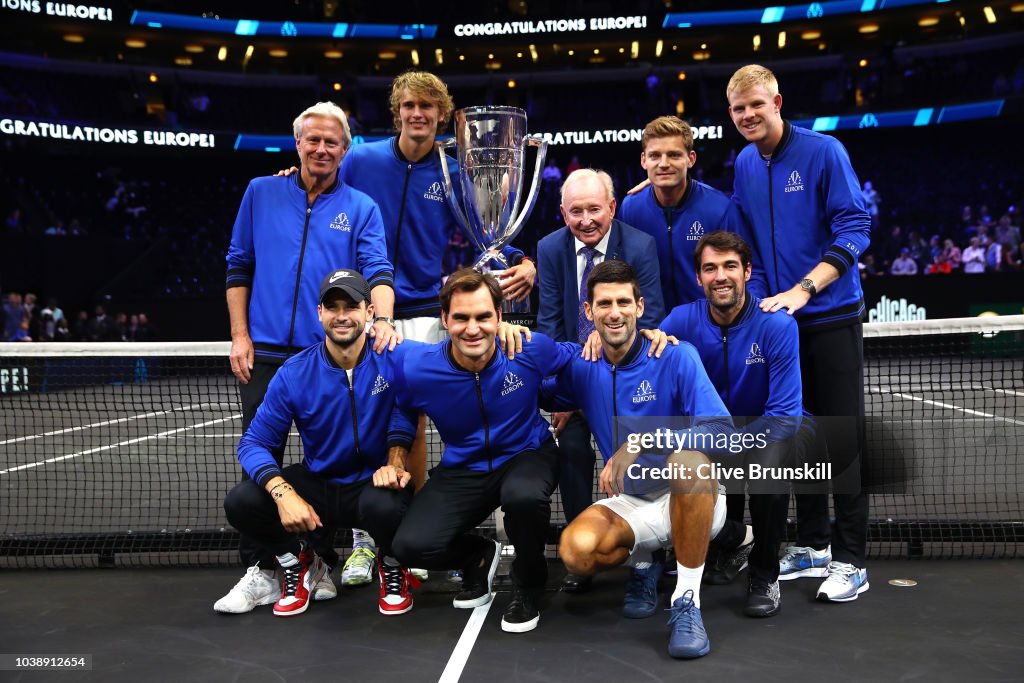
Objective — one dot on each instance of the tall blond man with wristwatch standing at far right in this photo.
(809, 225)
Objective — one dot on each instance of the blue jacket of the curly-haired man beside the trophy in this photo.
(418, 222)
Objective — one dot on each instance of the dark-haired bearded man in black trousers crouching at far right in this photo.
(753, 359)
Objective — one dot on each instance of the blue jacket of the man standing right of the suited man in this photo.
(677, 231)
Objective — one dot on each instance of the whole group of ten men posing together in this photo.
(360, 248)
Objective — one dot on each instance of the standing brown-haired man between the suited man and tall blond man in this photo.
(676, 210)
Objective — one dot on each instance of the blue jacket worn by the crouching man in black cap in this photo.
(345, 426)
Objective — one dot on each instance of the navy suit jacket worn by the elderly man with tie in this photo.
(559, 314)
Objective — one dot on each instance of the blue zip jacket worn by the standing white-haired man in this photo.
(282, 248)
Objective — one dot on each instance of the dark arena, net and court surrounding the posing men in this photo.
(129, 135)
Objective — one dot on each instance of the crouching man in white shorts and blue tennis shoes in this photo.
(646, 516)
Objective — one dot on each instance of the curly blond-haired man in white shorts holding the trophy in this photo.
(404, 176)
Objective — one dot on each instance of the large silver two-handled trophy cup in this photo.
(491, 146)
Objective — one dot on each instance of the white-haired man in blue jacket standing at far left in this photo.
(289, 232)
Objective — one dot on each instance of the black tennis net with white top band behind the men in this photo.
(122, 454)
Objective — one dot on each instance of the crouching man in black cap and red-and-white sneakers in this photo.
(340, 398)
